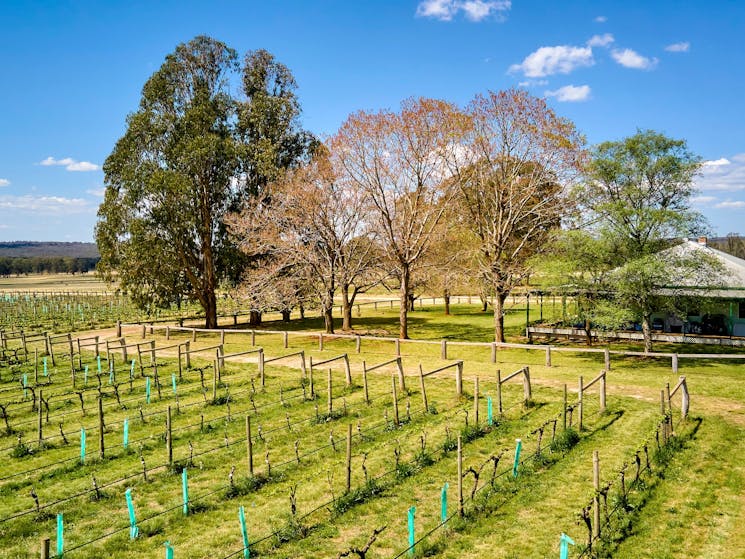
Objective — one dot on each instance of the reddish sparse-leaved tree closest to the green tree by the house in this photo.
(512, 172)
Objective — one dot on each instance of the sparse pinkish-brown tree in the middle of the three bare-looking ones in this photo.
(397, 160)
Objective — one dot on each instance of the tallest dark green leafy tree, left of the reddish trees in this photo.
(191, 154)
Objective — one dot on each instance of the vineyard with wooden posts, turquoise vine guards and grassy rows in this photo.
(165, 441)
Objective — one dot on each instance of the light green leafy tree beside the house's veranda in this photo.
(636, 201)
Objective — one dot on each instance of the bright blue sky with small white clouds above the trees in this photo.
(72, 71)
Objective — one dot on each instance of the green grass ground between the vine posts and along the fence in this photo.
(689, 506)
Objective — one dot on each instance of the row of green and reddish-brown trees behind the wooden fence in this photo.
(211, 188)
